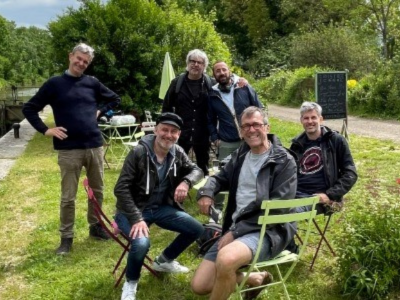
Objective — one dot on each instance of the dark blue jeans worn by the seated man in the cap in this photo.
(167, 217)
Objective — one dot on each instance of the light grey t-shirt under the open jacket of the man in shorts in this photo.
(247, 188)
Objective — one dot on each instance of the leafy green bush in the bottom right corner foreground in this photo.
(369, 254)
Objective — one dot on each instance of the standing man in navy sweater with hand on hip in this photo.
(76, 102)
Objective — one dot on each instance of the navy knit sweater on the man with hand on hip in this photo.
(75, 101)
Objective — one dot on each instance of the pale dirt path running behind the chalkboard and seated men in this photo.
(386, 130)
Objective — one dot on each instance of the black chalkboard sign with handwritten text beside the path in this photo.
(331, 93)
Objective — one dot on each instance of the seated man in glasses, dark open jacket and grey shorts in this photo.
(260, 169)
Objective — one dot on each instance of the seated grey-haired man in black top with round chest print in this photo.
(325, 165)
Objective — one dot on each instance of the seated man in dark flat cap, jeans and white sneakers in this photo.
(154, 181)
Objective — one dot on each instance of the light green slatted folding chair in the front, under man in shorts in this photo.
(285, 256)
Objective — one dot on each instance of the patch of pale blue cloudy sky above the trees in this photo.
(34, 12)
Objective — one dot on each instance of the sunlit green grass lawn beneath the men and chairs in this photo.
(29, 218)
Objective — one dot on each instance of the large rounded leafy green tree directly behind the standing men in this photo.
(130, 38)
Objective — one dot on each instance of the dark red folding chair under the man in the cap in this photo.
(112, 230)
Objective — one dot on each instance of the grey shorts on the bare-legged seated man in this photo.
(251, 241)
